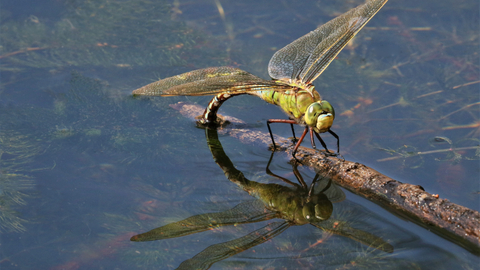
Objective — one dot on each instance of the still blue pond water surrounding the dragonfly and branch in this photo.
(84, 166)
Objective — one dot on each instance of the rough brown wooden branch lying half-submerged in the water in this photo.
(449, 220)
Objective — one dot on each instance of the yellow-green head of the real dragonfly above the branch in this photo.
(320, 115)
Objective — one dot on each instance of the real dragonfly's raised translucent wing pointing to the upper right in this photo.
(307, 57)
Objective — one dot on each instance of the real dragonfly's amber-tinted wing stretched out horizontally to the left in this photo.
(208, 81)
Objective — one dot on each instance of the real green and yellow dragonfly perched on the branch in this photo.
(292, 69)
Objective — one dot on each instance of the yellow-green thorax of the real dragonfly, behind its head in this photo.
(294, 102)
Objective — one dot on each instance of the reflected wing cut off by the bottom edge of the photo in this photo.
(218, 252)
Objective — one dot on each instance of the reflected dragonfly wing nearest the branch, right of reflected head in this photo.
(343, 229)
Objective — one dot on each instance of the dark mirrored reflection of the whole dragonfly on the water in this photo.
(296, 205)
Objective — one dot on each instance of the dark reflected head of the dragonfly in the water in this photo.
(318, 209)
